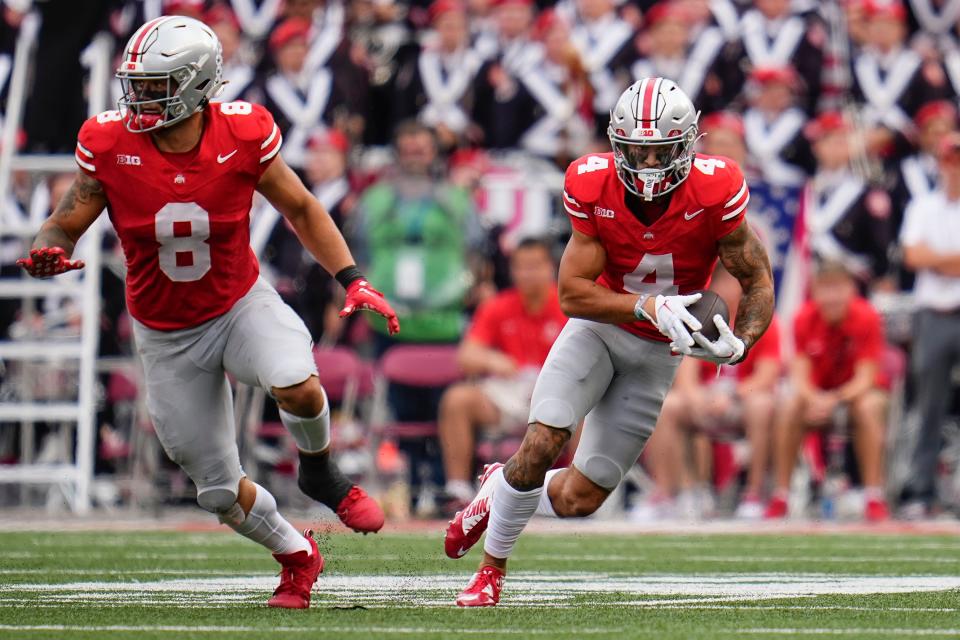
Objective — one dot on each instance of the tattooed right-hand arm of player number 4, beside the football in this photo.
(743, 255)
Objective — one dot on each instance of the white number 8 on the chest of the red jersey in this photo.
(183, 229)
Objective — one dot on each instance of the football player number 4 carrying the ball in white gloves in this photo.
(649, 221)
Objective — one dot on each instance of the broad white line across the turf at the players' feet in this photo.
(522, 589)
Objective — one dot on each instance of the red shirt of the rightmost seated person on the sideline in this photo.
(835, 350)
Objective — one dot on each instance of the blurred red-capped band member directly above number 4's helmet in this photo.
(666, 49)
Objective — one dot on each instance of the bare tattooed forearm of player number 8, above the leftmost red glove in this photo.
(79, 208)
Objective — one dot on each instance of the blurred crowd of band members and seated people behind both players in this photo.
(436, 133)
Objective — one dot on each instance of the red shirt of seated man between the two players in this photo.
(502, 323)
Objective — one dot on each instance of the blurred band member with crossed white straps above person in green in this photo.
(437, 86)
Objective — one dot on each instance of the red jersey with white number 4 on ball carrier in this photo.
(677, 253)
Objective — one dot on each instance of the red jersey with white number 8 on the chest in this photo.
(183, 218)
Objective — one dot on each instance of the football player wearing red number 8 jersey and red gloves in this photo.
(176, 173)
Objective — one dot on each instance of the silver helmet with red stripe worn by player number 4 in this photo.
(653, 120)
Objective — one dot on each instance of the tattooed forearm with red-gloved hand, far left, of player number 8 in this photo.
(58, 236)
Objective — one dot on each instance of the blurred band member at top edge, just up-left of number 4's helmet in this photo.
(605, 43)
